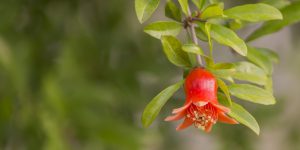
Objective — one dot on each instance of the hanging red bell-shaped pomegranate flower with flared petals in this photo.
(201, 107)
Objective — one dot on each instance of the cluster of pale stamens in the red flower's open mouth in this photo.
(202, 116)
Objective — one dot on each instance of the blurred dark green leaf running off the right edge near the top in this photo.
(291, 15)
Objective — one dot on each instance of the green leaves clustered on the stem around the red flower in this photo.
(210, 23)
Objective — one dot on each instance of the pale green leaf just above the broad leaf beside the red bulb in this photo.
(249, 72)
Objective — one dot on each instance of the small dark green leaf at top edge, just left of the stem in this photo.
(172, 11)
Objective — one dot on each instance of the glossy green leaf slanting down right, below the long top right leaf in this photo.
(228, 37)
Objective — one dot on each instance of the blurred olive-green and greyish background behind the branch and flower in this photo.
(76, 75)
